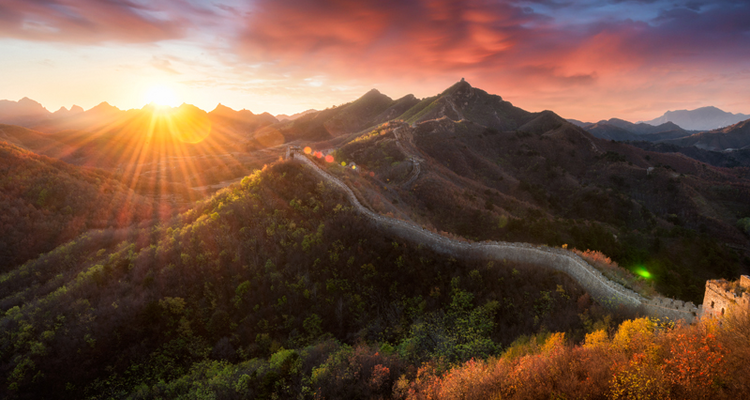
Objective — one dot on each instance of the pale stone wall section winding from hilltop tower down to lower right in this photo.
(605, 291)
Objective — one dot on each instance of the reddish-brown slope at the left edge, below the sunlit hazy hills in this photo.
(47, 202)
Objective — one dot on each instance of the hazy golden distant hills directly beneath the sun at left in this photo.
(174, 153)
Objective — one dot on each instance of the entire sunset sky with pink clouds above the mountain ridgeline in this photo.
(589, 59)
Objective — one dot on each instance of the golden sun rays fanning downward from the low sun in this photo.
(164, 153)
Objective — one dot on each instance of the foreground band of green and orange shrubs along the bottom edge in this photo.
(641, 358)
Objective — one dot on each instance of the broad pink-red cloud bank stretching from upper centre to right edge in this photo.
(383, 39)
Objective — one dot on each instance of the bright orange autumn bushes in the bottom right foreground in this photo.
(640, 361)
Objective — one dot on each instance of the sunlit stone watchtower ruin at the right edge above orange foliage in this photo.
(724, 297)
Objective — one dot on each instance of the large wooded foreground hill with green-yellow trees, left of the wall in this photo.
(278, 266)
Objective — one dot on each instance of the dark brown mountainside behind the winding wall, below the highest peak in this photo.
(548, 181)
